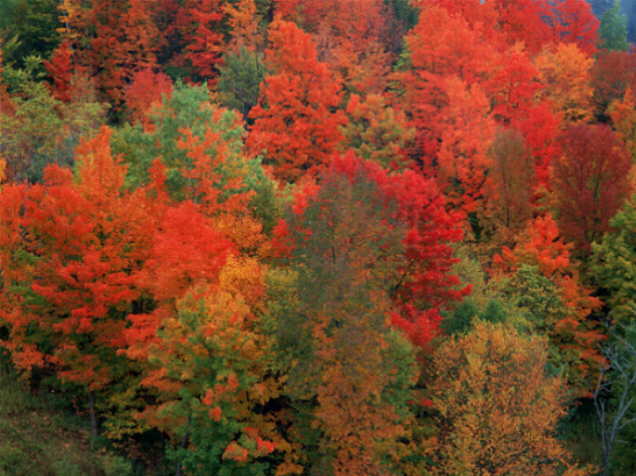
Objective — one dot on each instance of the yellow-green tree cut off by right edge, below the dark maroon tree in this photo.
(613, 264)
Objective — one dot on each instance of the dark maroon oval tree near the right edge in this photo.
(590, 182)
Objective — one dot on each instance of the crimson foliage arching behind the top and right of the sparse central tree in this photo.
(425, 280)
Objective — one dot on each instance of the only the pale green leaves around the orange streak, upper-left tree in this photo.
(189, 107)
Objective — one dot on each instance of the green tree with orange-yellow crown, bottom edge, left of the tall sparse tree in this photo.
(218, 356)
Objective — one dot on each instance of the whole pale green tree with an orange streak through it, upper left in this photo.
(201, 147)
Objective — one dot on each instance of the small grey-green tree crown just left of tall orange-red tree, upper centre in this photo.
(239, 80)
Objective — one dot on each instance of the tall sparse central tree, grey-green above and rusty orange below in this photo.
(349, 373)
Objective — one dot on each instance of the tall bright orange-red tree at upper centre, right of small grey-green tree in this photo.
(294, 123)
